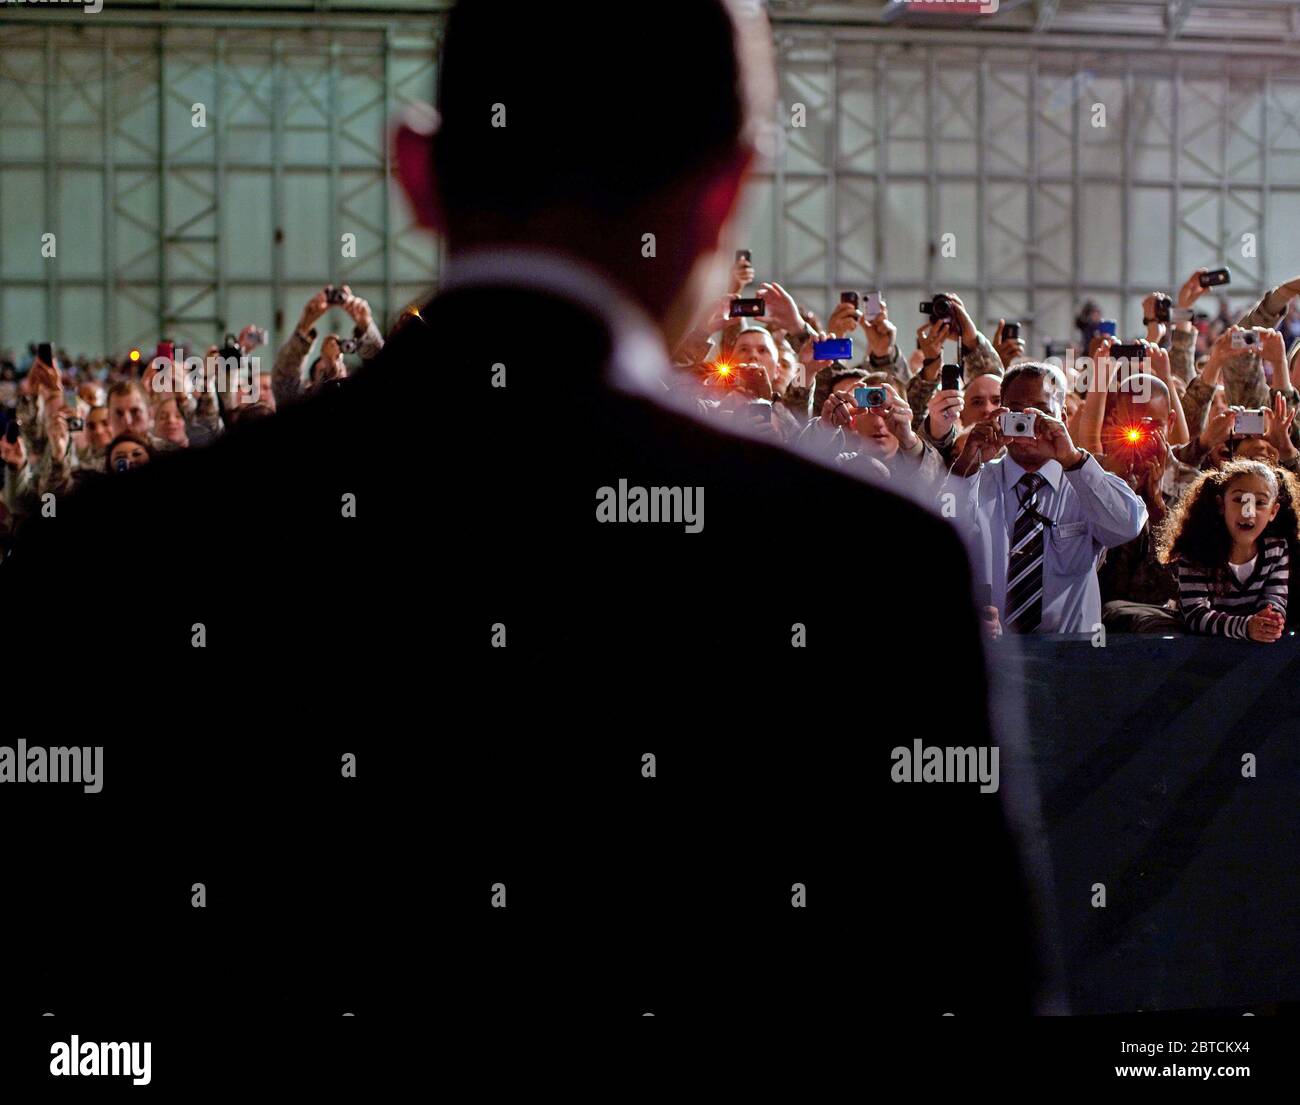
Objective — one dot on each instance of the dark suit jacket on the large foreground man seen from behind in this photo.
(476, 508)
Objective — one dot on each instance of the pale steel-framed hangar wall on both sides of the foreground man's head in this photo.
(911, 135)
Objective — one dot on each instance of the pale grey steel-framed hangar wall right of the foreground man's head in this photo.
(915, 135)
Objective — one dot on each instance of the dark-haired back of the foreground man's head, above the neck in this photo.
(544, 109)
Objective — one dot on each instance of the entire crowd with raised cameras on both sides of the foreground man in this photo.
(1152, 488)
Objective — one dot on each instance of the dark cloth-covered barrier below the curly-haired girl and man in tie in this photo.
(1145, 755)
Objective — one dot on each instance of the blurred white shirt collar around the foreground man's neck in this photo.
(639, 359)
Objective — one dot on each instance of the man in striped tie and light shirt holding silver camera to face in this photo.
(1042, 514)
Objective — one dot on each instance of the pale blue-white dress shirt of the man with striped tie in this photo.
(1090, 510)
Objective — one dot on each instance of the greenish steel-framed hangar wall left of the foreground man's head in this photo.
(167, 228)
